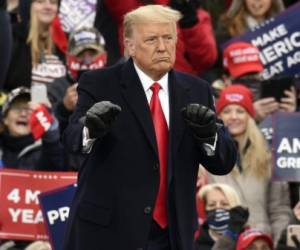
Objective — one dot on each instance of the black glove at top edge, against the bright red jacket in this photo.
(188, 10)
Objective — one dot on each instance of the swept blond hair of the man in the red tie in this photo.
(149, 14)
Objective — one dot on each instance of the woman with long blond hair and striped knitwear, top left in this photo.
(35, 58)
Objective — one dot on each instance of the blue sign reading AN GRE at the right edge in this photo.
(286, 146)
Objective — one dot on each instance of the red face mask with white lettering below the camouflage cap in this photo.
(77, 68)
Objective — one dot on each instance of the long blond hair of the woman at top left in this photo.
(39, 38)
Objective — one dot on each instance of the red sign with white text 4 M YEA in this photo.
(20, 214)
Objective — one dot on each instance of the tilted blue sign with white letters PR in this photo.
(55, 205)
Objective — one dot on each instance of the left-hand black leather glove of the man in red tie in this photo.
(100, 117)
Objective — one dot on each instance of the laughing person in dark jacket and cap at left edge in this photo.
(29, 140)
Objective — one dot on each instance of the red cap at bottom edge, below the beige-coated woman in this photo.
(250, 235)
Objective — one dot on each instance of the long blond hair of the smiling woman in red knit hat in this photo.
(254, 152)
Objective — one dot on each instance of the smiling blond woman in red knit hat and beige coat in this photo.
(268, 201)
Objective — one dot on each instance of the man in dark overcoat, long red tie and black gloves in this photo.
(144, 128)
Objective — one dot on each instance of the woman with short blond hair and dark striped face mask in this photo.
(224, 214)
